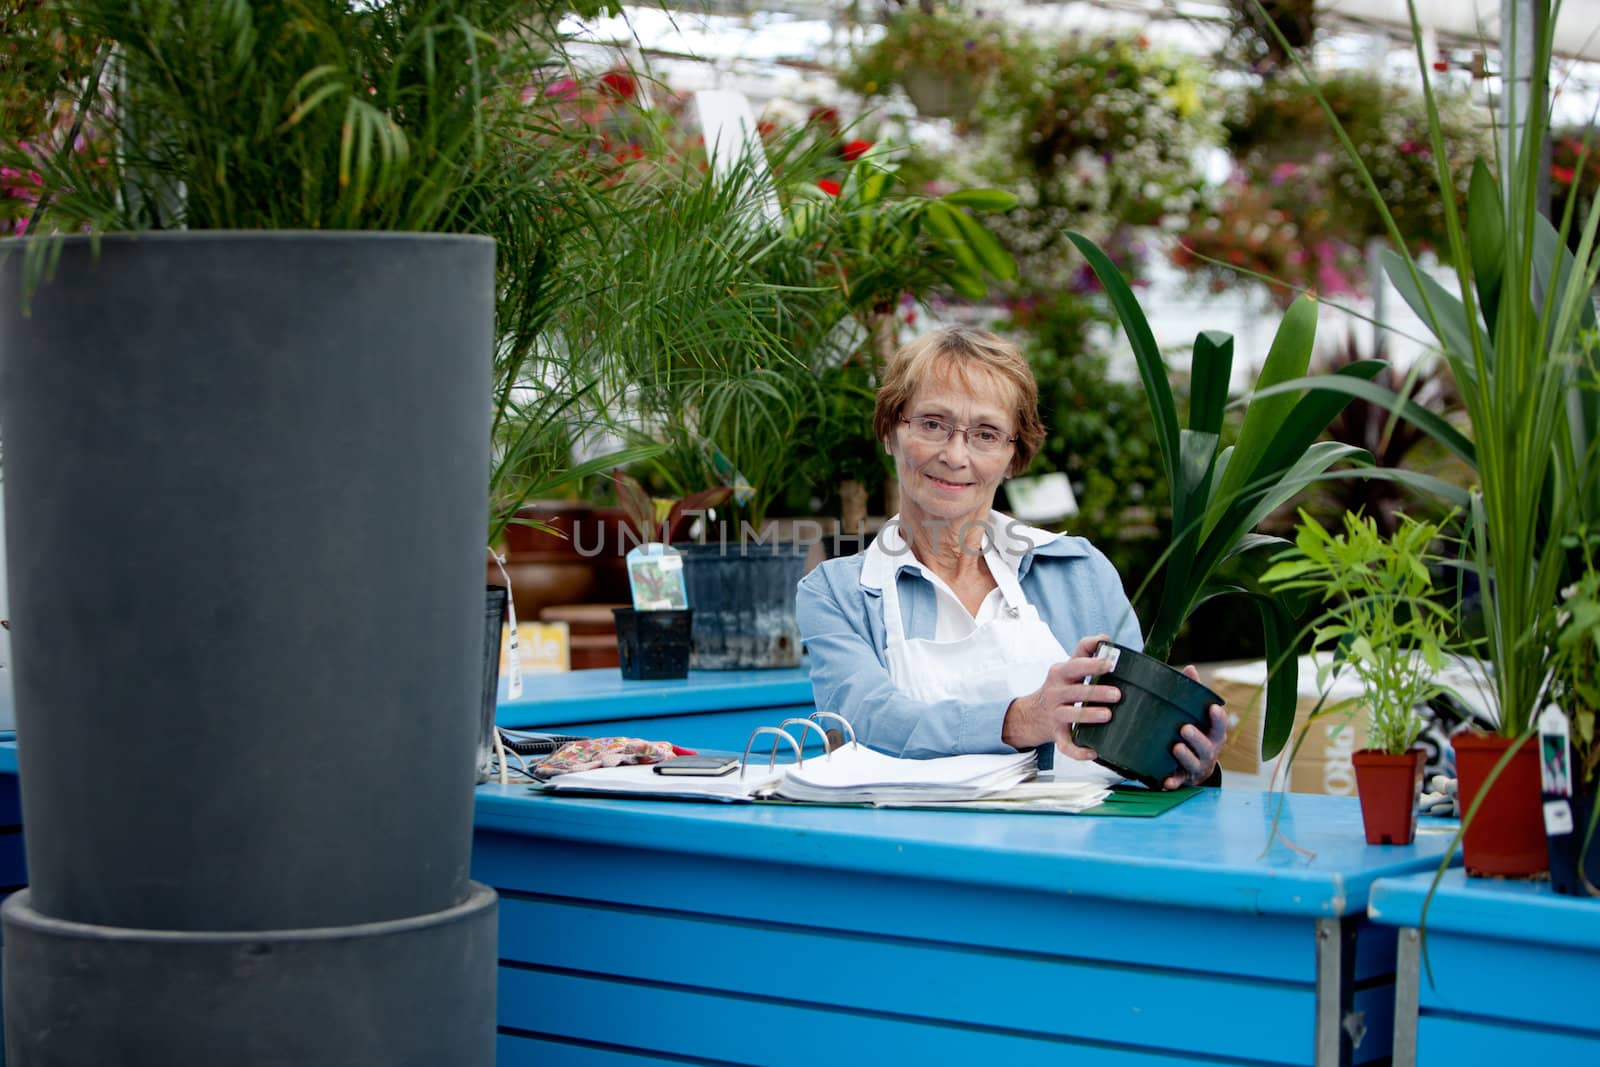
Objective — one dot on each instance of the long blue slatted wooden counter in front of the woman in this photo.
(746, 933)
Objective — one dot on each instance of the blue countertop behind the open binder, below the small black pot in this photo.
(586, 695)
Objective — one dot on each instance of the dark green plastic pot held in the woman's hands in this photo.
(1156, 703)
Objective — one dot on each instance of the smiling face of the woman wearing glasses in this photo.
(950, 481)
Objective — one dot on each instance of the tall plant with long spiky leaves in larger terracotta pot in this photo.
(1511, 334)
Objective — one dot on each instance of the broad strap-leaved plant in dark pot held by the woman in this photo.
(1220, 495)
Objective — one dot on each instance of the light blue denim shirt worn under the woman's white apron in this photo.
(1078, 594)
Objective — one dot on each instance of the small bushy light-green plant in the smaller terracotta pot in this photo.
(1383, 626)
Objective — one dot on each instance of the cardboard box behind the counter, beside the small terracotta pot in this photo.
(1322, 764)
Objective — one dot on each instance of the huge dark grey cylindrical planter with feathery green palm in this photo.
(247, 375)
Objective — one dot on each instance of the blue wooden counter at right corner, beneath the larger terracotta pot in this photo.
(1511, 970)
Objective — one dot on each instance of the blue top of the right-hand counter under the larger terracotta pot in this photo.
(1516, 911)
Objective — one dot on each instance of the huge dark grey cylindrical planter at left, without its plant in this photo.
(246, 494)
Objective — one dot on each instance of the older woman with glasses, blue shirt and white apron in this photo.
(951, 633)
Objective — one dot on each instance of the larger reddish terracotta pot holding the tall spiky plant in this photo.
(1506, 839)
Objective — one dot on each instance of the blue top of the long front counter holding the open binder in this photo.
(1215, 850)
